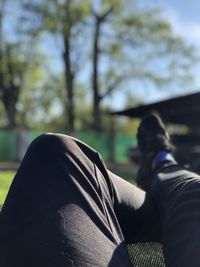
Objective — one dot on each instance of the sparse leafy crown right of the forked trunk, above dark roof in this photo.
(151, 43)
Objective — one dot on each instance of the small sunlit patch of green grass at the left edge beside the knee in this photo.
(6, 178)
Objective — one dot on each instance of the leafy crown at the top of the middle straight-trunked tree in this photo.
(55, 17)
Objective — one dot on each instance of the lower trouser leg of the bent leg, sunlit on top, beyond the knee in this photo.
(136, 212)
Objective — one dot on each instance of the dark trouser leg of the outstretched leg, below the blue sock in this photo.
(176, 192)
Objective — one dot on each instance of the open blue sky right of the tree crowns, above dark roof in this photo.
(185, 20)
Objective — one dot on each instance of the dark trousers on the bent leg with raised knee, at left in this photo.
(64, 208)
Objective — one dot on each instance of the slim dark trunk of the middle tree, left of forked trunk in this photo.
(69, 81)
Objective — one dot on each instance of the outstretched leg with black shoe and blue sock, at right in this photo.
(176, 192)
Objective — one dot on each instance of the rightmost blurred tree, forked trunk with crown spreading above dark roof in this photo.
(139, 48)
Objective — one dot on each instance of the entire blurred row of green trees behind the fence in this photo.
(62, 62)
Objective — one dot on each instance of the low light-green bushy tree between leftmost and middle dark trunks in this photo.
(42, 102)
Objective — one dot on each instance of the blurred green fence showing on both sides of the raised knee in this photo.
(13, 144)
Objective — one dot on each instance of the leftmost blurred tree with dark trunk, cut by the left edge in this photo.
(13, 65)
